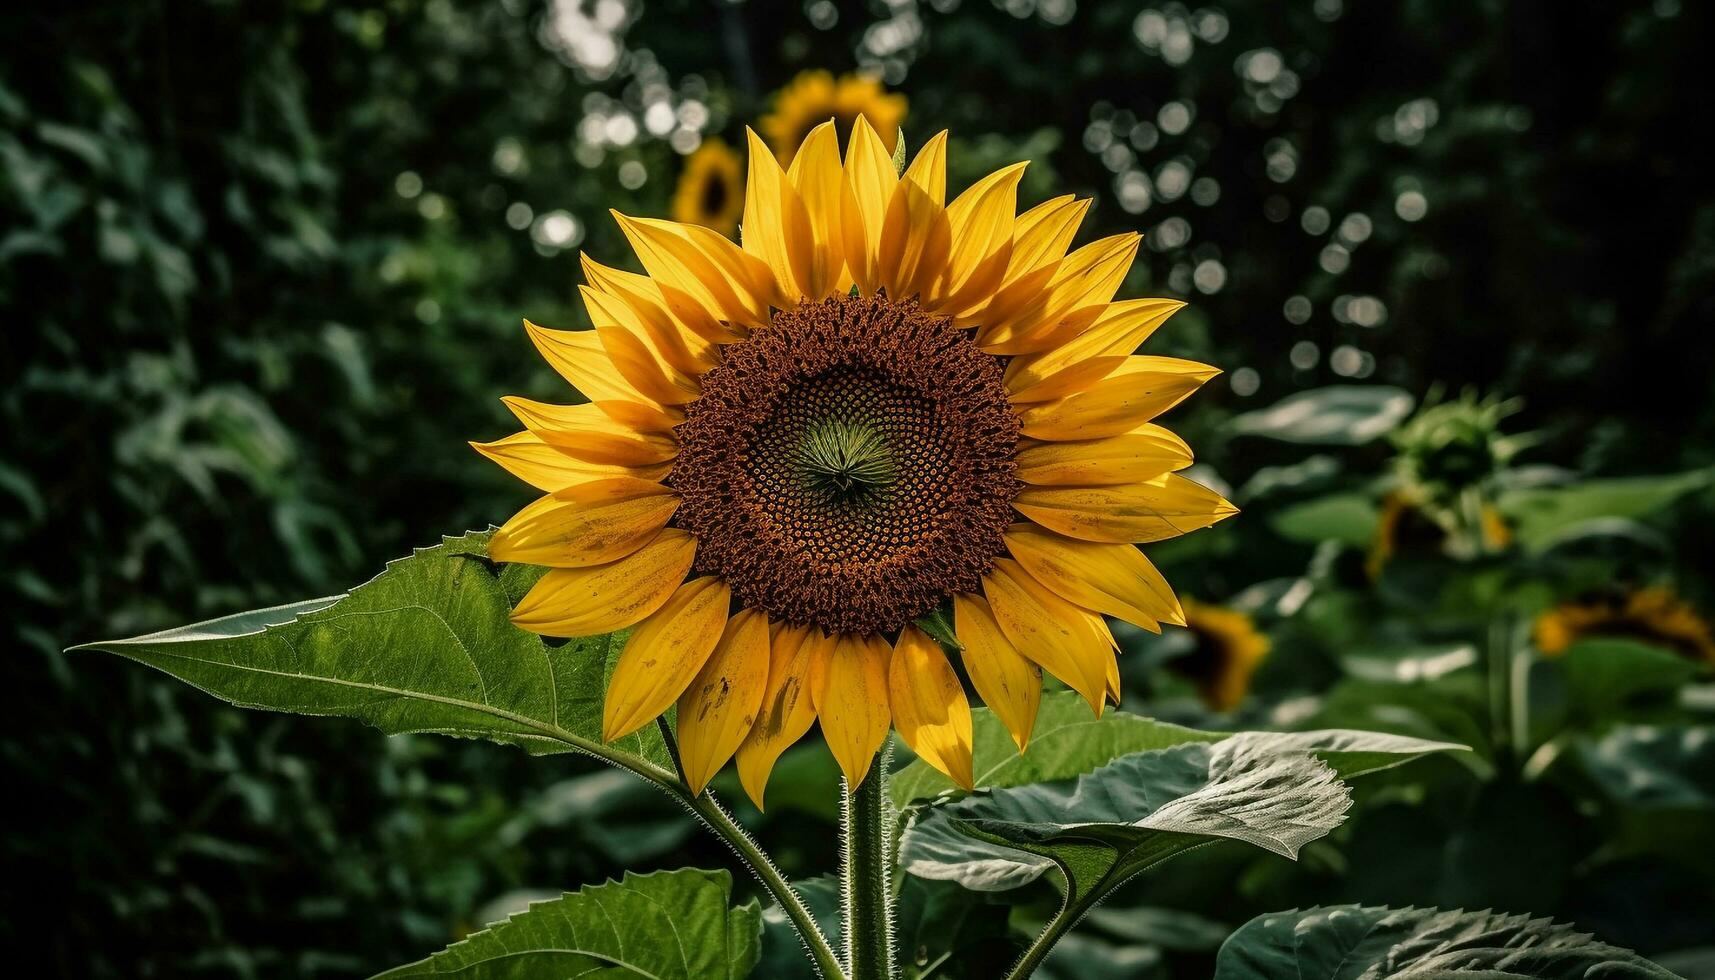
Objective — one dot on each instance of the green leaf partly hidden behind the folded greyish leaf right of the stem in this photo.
(1071, 741)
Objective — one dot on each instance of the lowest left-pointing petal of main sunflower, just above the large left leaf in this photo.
(606, 598)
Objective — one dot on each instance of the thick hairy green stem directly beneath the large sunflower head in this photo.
(867, 868)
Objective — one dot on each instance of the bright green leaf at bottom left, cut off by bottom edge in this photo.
(665, 926)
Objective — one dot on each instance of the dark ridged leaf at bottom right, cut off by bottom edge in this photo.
(1345, 943)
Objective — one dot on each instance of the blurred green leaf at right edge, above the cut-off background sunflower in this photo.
(1543, 517)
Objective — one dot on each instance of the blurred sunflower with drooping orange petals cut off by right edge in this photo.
(1652, 615)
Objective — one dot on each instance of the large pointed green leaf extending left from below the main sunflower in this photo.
(423, 648)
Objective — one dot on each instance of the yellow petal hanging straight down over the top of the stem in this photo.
(851, 703)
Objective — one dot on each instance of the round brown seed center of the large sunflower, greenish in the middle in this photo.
(850, 466)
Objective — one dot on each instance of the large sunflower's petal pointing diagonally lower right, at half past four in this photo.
(1047, 629)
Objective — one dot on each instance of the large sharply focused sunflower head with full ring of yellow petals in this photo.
(881, 408)
